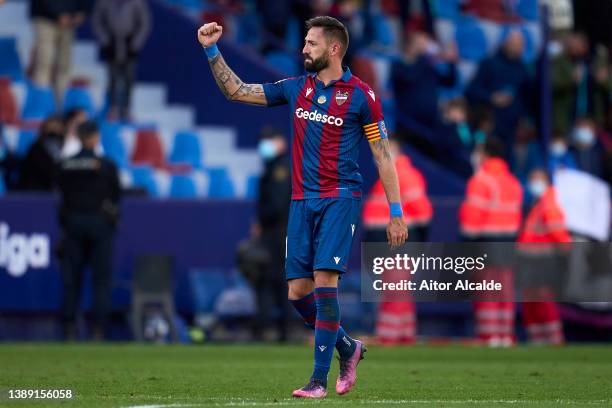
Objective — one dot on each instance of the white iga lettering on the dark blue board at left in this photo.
(18, 252)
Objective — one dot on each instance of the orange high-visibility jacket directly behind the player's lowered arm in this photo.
(413, 191)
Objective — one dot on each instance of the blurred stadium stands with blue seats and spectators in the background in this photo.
(451, 74)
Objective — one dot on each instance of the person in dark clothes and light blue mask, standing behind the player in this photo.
(272, 214)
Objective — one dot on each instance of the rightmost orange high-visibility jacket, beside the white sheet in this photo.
(546, 221)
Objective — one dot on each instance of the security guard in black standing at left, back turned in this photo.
(90, 192)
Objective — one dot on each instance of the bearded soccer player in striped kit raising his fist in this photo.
(332, 110)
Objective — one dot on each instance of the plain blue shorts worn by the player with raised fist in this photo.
(319, 235)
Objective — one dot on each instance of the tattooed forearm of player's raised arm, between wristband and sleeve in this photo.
(232, 87)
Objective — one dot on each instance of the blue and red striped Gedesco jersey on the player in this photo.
(328, 123)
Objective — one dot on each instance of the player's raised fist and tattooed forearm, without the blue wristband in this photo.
(232, 87)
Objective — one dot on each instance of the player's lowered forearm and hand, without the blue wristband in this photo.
(397, 231)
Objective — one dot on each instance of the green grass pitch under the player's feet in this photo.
(116, 375)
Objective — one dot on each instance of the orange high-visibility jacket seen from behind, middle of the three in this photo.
(492, 205)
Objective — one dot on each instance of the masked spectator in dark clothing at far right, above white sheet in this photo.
(586, 148)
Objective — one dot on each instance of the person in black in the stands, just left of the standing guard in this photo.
(38, 168)
